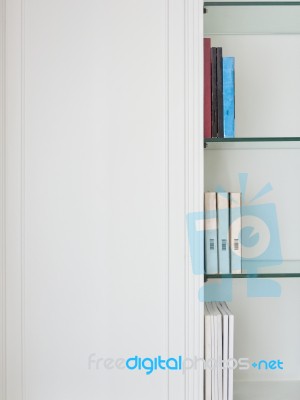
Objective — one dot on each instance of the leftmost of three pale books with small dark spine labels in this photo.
(210, 225)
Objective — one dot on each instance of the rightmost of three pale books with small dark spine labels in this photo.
(235, 216)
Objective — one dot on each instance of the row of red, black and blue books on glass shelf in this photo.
(219, 93)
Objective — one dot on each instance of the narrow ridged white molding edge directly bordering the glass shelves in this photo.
(194, 185)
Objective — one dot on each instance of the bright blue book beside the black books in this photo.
(228, 97)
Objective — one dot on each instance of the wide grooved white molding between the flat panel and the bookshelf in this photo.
(185, 188)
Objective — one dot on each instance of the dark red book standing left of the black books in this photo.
(207, 88)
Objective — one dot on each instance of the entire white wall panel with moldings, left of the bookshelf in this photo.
(99, 172)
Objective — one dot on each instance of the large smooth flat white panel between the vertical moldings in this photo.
(96, 222)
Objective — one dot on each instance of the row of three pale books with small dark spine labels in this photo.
(222, 233)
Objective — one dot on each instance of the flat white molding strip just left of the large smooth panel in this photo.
(13, 198)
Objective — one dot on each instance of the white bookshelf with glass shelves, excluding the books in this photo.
(264, 38)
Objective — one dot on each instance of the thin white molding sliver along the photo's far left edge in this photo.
(2, 208)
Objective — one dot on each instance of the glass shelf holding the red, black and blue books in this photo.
(252, 143)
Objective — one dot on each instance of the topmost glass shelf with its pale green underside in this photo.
(251, 18)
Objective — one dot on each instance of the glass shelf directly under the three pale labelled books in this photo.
(287, 269)
